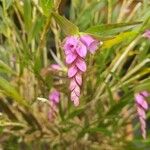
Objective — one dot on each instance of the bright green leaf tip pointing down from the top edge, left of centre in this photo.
(47, 6)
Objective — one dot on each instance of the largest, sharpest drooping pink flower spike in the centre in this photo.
(76, 49)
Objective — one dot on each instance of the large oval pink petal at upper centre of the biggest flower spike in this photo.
(81, 50)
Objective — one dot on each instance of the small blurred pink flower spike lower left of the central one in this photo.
(54, 98)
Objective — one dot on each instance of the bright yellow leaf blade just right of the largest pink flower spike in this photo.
(118, 39)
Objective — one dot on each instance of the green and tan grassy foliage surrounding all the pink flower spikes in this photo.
(31, 34)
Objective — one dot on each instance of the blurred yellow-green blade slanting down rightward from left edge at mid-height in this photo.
(10, 91)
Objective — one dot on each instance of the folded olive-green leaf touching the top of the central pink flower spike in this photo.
(68, 27)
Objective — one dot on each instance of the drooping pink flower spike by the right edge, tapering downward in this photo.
(142, 106)
